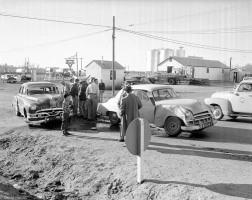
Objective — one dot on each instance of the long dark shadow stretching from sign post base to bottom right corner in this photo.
(235, 190)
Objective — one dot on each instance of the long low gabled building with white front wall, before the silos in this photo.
(196, 67)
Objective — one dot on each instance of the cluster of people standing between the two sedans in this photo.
(83, 98)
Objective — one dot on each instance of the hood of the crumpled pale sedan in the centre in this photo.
(190, 104)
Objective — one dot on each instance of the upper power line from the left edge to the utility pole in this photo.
(52, 20)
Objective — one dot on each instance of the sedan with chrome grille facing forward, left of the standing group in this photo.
(38, 102)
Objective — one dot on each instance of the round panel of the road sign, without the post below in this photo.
(134, 137)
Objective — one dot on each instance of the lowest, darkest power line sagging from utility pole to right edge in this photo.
(185, 43)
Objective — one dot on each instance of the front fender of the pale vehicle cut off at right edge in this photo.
(225, 104)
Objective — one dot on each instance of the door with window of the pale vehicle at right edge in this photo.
(241, 100)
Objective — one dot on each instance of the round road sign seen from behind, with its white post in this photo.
(138, 136)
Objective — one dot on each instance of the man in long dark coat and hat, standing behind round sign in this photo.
(129, 107)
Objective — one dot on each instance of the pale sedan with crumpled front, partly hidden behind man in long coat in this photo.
(164, 108)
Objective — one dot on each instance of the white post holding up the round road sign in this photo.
(139, 165)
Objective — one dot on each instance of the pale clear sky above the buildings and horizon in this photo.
(46, 32)
